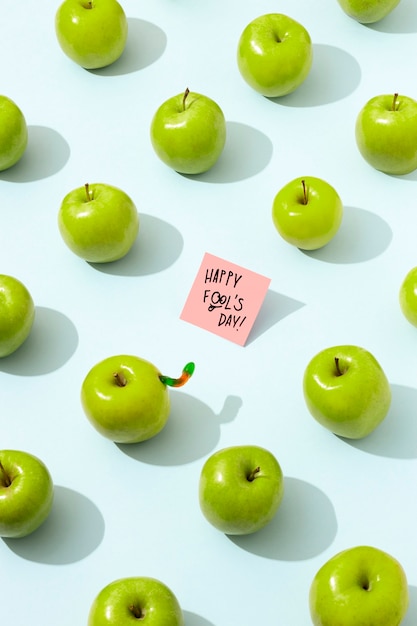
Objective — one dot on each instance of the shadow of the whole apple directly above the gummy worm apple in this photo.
(157, 247)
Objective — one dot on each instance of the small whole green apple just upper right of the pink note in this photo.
(307, 212)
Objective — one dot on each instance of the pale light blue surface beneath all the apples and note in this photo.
(122, 511)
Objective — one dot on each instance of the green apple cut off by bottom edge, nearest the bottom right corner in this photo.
(359, 586)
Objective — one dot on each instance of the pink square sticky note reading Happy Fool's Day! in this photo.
(225, 299)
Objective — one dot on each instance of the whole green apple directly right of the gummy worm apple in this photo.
(347, 391)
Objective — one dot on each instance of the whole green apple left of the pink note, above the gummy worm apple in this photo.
(98, 222)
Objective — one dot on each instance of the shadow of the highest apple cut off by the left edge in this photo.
(46, 154)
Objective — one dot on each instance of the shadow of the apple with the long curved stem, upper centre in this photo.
(246, 153)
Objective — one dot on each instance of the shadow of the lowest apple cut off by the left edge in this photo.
(73, 530)
